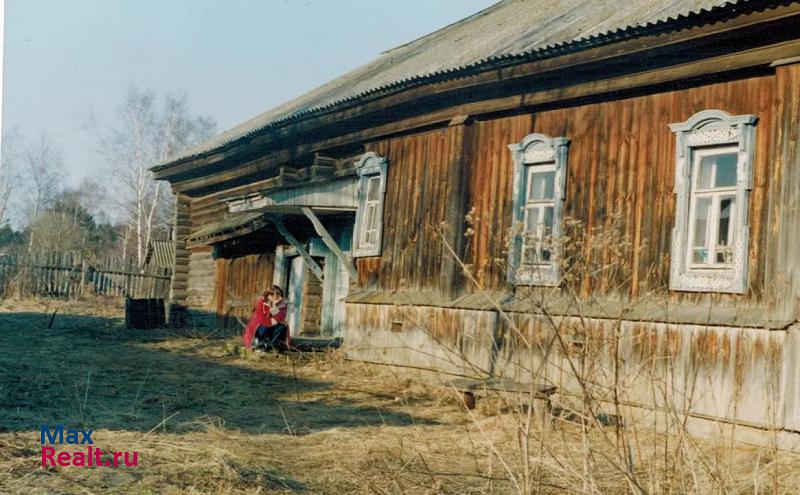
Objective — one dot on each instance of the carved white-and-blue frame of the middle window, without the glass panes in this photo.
(539, 153)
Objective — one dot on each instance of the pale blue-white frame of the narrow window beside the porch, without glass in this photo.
(369, 166)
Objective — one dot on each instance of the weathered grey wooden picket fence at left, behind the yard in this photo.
(70, 275)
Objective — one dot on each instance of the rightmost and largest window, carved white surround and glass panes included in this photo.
(713, 172)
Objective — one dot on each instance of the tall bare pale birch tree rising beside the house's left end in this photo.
(147, 131)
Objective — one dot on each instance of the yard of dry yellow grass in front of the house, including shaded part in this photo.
(207, 420)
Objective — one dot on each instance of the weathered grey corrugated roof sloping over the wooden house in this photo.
(508, 32)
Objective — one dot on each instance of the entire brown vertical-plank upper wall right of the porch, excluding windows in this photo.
(621, 166)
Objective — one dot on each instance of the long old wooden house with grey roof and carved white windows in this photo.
(416, 206)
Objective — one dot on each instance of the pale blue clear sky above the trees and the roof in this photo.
(68, 59)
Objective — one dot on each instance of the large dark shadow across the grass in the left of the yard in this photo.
(89, 371)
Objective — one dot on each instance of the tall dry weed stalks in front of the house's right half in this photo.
(602, 400)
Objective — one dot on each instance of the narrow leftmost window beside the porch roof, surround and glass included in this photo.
(371, 170)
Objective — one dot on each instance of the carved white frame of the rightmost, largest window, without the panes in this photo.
(708, 133)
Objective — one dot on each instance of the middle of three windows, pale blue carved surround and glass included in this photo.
(539, 182)
